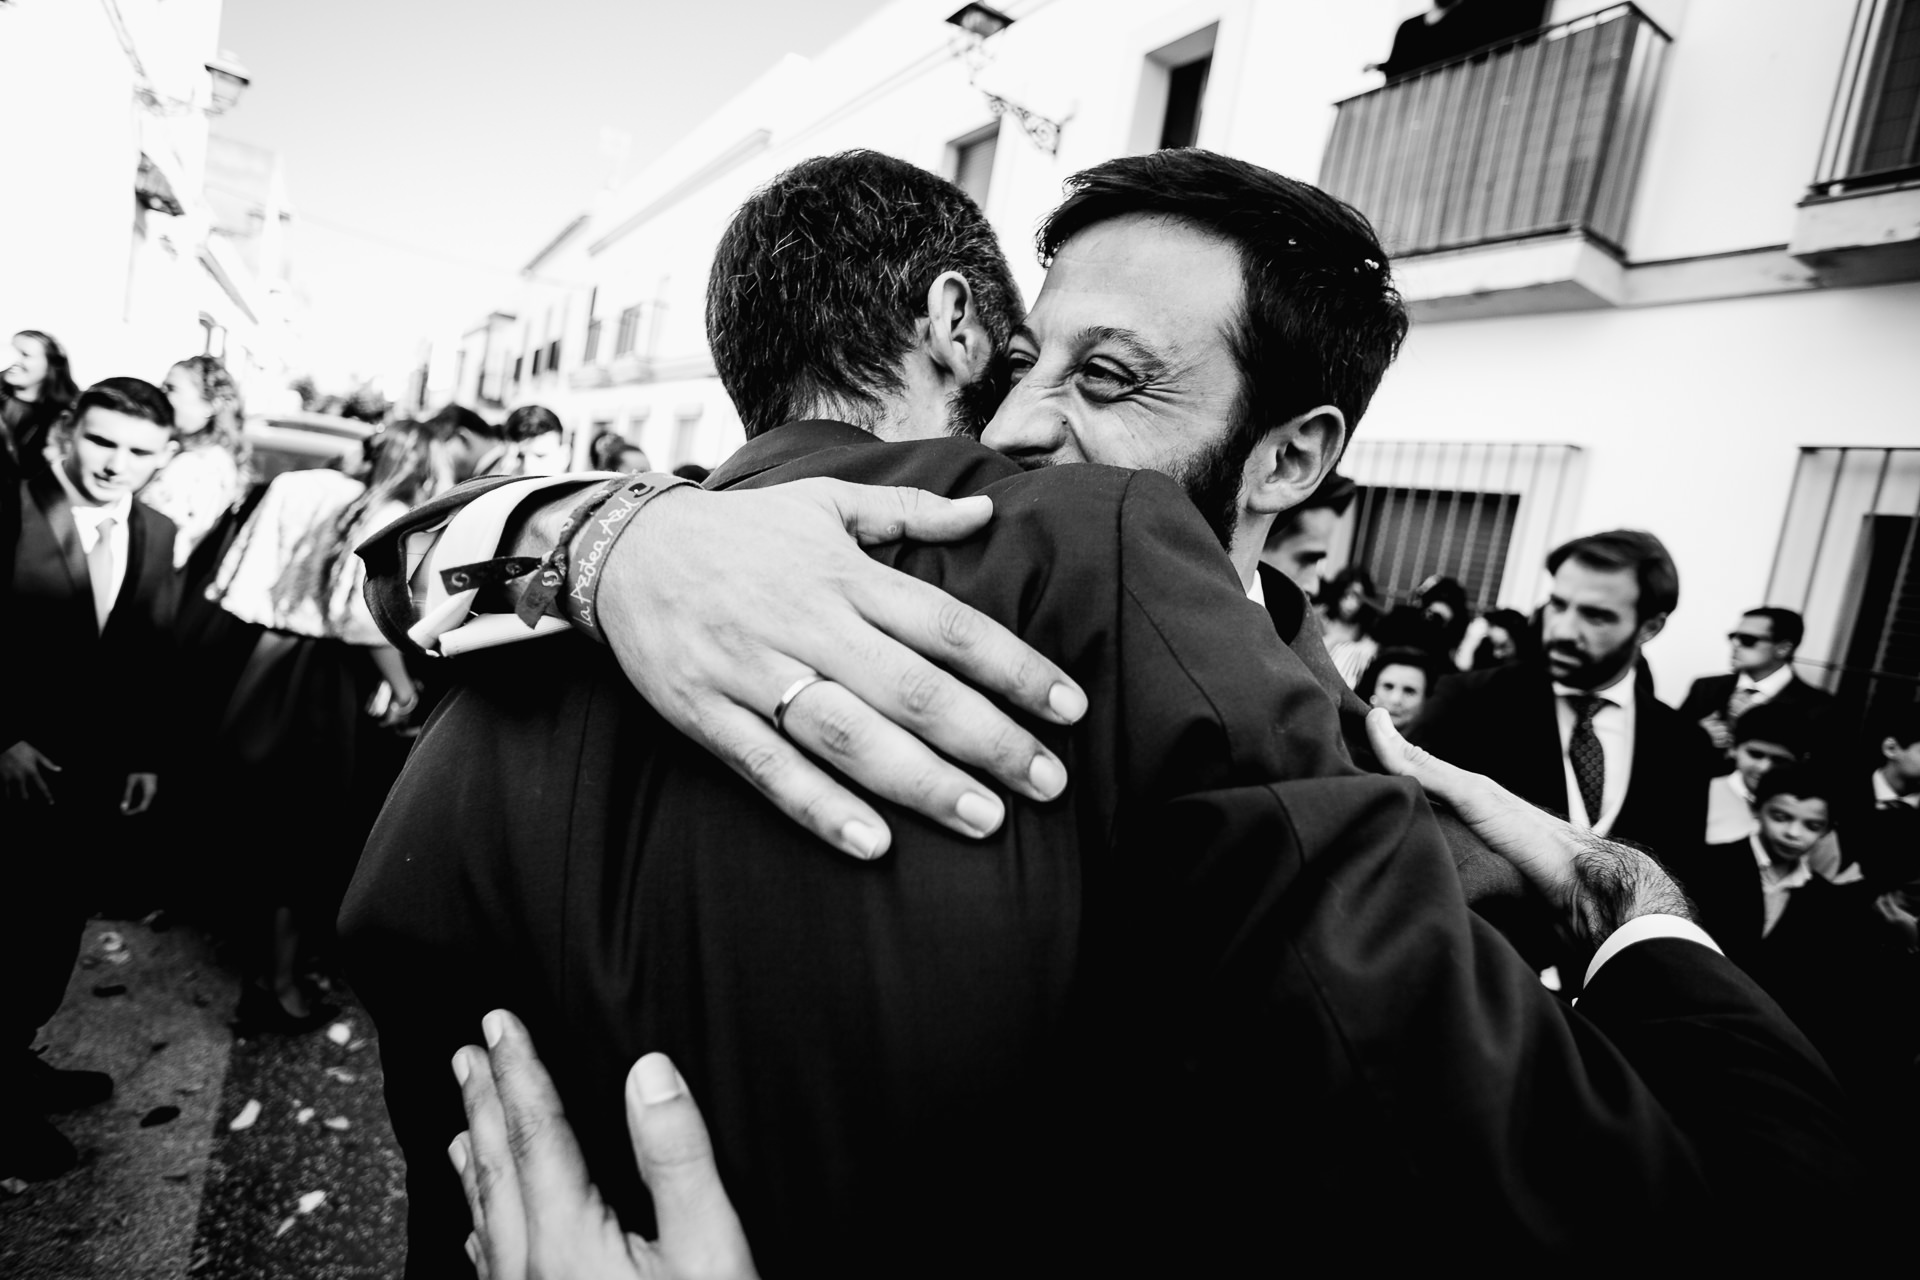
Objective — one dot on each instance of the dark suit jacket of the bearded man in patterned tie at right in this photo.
(1502, 723)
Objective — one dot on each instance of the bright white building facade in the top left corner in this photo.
(132, 233)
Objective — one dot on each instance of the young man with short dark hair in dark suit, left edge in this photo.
(85, 644)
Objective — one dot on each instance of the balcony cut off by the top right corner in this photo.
(1861, 220)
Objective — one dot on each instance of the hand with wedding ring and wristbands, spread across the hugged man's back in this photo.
(725, 602)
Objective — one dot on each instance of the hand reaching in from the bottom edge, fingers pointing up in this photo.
(539, 1216)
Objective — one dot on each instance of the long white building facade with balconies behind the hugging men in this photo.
(1664, 266)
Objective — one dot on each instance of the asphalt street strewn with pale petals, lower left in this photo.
(218, 1156)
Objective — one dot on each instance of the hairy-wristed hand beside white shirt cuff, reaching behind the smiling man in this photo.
(1598, 886)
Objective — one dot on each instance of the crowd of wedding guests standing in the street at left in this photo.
(214, 717)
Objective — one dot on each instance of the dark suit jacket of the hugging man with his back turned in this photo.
(1218, 1003)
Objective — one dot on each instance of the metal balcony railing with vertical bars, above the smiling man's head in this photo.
(1535, 135)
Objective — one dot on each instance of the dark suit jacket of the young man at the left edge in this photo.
(89, 699)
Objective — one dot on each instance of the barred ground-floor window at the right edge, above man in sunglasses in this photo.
(1848, 561)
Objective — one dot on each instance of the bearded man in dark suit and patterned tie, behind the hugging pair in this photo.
(1577, 734)
